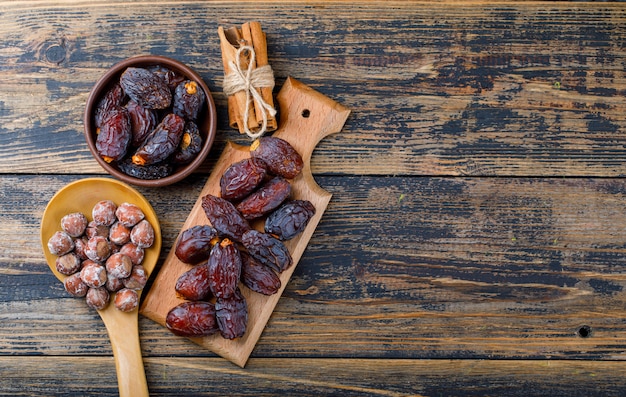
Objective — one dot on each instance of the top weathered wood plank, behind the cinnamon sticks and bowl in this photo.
(509, 88)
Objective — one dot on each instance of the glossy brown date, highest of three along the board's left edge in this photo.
(195, 243)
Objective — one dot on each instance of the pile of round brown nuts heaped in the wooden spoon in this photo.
(104, 256)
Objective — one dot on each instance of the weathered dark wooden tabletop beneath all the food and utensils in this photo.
(475, 241)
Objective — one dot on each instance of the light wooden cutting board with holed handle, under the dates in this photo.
(306, 116)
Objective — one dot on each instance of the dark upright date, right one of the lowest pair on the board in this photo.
(232, 315)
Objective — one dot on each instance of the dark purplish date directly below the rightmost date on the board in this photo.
(268, 250)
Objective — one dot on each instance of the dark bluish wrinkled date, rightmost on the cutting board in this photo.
(290, 219)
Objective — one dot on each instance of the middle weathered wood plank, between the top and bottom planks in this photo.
(398, 267)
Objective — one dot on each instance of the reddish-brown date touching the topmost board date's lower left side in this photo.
(241, 178)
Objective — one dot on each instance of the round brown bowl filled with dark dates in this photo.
(150, 121)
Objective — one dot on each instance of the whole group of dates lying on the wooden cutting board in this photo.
(229, 251)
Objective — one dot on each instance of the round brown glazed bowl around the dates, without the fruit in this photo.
(206, 121)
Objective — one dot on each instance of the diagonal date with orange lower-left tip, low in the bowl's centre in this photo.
(161, 142)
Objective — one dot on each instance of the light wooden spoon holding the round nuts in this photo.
(123, 330)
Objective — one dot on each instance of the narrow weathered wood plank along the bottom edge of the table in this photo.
(195, 376)
